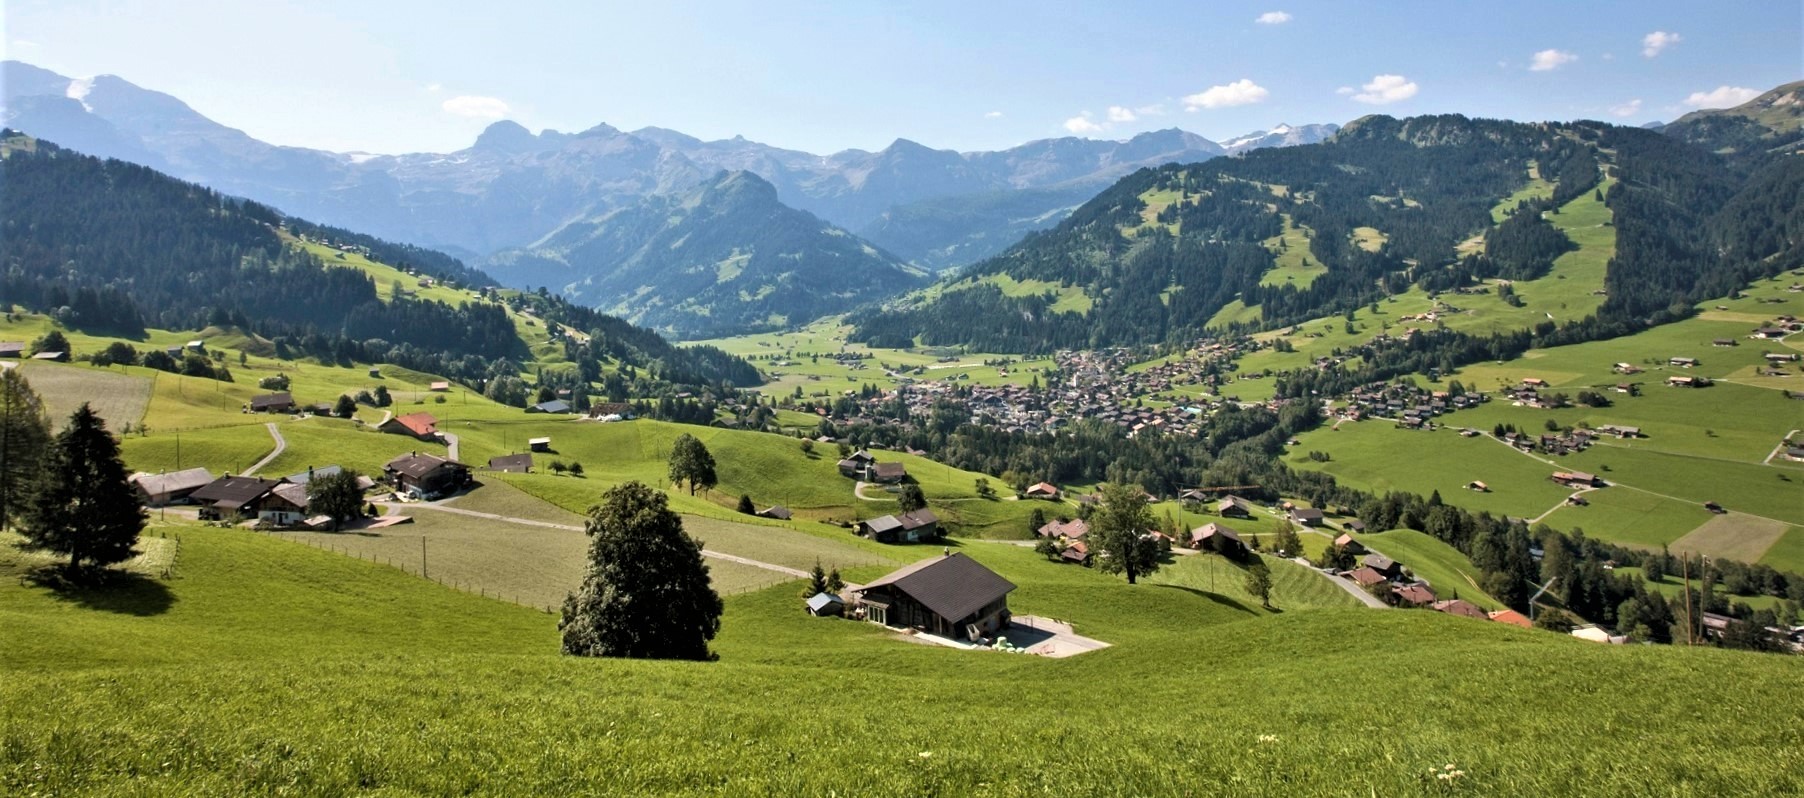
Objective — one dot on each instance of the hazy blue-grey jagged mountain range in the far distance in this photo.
(517, 201)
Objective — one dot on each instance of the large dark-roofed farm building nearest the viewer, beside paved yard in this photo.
(950, 597)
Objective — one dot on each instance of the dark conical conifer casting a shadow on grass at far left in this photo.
(82, 505)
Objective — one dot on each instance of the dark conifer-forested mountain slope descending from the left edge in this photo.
(115, 248)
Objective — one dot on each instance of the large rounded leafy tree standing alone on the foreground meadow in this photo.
(647, 593)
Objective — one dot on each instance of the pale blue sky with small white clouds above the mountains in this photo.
(824, 77)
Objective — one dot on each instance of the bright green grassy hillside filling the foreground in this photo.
(272, 667)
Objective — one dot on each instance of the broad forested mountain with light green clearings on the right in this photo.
(1385, 209)
